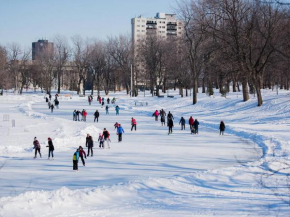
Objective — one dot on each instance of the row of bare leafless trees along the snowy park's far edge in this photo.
(226, 44)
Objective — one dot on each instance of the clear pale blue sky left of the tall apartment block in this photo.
(25, 21)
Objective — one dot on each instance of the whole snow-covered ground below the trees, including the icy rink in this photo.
(150, 173)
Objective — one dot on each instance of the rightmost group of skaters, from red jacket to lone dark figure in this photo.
(193, 124)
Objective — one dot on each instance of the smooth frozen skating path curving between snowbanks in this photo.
(148, 152)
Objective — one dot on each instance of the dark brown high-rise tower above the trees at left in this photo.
(42, 47)
